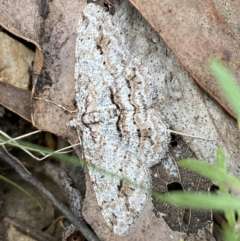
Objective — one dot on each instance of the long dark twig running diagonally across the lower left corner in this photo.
(77, 222)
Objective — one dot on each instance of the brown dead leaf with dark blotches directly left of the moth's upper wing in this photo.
(56, 81)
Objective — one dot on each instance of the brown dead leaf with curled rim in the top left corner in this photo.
(24, 19)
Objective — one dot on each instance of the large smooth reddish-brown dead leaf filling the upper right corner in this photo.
(196, 30)
